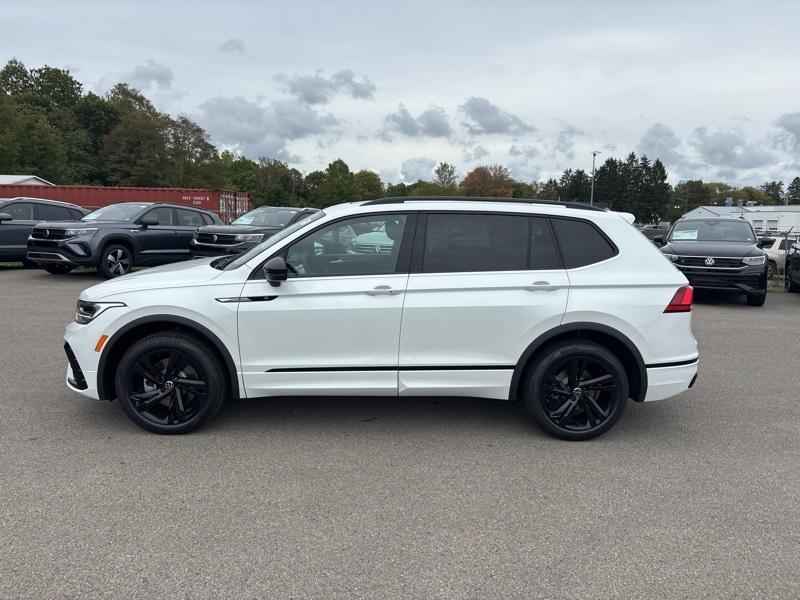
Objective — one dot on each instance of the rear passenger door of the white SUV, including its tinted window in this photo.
(483, 286)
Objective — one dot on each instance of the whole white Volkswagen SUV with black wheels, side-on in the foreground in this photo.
(566, 308)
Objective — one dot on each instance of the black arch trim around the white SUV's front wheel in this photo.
(139, 328)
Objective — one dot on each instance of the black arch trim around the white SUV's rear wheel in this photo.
(614, 340)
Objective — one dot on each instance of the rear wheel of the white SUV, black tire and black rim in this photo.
(576, 412)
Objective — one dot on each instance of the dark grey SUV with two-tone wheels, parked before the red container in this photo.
(117, 237)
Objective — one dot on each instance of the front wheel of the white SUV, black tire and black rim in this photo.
(171, 383)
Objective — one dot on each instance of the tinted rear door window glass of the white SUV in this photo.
(457, 242)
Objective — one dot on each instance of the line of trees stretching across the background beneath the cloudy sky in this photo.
(51, 127)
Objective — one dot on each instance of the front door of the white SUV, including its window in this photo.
(333, 328)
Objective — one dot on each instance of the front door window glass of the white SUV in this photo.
(368, 245)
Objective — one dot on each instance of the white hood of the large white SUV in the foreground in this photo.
(173, 275)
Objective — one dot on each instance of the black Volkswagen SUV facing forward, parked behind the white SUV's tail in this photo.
(719, 254)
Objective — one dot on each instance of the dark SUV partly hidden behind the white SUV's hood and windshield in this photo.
(247, 231)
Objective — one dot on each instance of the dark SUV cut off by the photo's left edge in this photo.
(19, 215)
